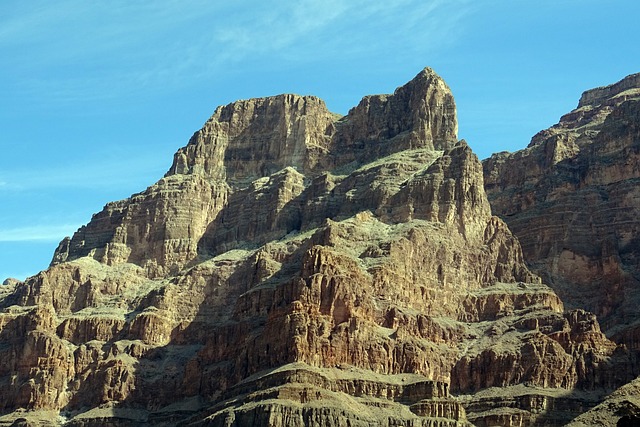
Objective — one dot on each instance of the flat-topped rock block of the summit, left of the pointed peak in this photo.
(253, 138)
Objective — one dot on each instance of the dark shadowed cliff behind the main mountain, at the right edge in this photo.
(572, 199)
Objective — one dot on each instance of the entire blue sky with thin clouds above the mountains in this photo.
(95, 97)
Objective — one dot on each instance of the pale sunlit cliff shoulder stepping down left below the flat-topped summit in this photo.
(158, 229)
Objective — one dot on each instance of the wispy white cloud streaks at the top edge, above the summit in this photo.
(313, 30)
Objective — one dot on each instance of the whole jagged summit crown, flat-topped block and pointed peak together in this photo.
(302, 133)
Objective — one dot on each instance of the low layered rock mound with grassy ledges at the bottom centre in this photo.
(302, 396)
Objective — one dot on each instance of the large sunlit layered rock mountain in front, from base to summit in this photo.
(297, 268)
